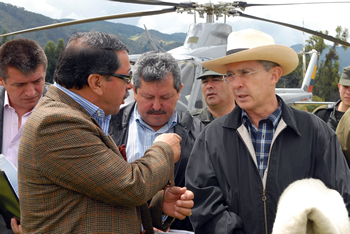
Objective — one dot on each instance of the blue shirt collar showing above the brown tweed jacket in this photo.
(96, 112)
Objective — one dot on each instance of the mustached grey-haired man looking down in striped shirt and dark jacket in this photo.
(157, 86)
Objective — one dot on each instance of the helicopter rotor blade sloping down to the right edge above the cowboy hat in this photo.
(324, 36)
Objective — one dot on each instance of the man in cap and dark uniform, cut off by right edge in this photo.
(332, 113)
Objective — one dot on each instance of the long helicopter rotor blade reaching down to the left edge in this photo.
(89, 20)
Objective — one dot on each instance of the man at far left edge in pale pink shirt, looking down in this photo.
(22, 79)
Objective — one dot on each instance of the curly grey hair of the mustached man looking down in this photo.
(154, 66)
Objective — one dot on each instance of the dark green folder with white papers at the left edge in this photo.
(9, 203)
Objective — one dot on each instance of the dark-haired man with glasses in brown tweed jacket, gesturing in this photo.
(72, 177)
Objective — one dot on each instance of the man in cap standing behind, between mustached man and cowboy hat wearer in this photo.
(218, 96)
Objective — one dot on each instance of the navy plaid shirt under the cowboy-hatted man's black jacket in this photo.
(262, 136)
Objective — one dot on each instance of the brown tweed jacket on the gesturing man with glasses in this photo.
(73, 179)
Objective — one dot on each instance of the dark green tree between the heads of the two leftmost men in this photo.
(52, 53)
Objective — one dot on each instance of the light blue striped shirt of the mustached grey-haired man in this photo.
(141, 135)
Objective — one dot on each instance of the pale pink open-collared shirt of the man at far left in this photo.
(11, 135)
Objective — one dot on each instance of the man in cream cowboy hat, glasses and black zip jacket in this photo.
(241, 162)
